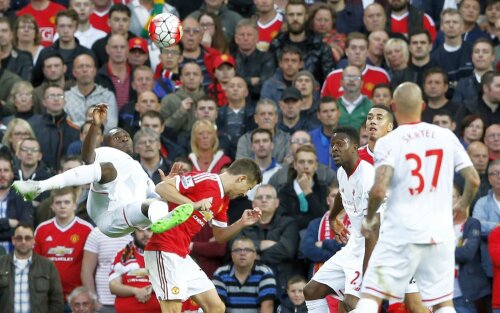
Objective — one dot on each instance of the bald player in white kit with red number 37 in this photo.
(415, 163)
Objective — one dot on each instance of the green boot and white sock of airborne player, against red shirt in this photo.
(176, 217)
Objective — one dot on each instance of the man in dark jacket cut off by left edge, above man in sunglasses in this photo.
(13, 209)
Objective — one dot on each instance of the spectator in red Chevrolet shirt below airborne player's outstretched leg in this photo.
(62, 238)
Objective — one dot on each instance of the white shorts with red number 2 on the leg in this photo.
(343, 273)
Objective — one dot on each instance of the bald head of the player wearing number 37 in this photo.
(407, 102)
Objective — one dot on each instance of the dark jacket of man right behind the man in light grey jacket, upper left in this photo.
(68, 58)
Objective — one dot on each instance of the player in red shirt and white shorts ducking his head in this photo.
(174, 275)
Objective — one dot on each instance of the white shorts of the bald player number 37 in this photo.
(392, 266)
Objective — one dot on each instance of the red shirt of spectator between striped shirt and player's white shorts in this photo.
(130, 266)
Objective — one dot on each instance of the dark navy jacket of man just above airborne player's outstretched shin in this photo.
(58, 133)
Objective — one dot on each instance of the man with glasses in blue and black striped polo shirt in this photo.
(257, 280)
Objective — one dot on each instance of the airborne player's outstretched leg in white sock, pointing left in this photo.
(80, 175)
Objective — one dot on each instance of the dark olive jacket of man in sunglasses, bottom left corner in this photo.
(45, 290)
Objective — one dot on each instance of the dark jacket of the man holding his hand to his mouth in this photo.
(316, 200)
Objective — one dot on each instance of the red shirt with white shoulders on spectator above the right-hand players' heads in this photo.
(372, 75)
